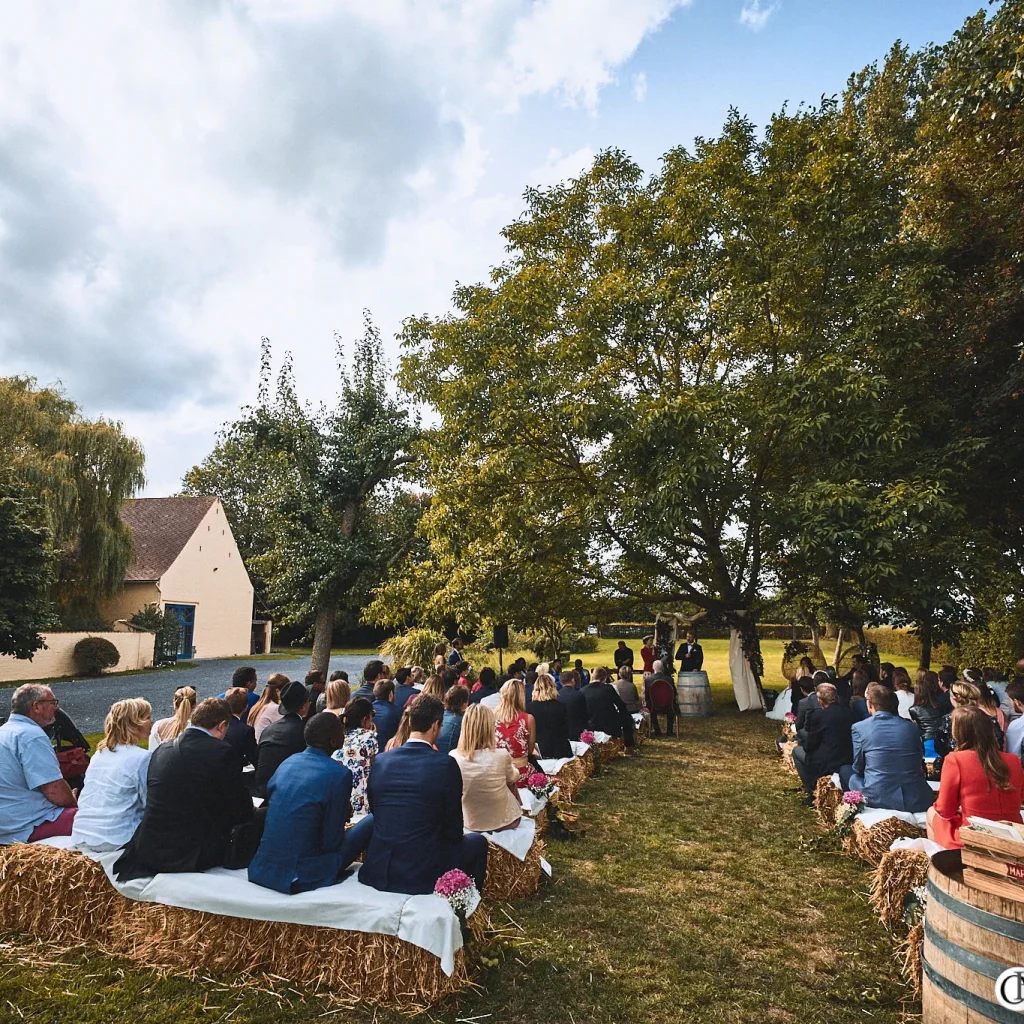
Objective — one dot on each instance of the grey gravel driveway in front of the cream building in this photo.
(89, 702)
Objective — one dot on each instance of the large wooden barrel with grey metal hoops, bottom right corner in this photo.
(971, 937)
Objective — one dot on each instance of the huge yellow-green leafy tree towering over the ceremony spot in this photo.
(638, 370)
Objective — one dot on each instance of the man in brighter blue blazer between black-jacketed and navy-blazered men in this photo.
(305, 844)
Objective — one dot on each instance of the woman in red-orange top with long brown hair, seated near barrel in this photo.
(978, 781)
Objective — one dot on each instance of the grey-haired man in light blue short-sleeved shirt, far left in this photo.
(35, 801)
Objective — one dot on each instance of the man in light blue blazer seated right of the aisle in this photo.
(888, 755)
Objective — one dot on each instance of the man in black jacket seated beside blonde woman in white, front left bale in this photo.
(195, 798)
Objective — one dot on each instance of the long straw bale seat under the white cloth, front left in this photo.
(62, 895)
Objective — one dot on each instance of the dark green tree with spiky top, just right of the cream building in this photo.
(330, 516)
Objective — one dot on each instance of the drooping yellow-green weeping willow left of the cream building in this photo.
(81, 473)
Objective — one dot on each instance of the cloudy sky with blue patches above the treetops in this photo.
(180, 178)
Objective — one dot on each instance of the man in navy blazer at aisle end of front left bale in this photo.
(415, 796)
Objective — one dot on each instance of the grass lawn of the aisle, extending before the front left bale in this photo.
(701, 892)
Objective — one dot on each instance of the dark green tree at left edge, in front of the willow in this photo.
(26, 573)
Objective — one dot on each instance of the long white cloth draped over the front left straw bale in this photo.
(428, 922)
